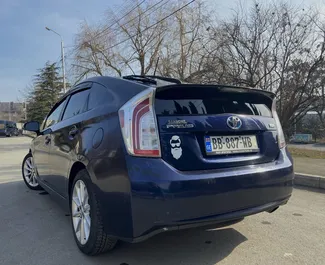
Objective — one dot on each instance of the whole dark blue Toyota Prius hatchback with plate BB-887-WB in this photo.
(135, 156)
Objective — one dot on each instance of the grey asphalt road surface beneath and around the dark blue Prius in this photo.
(34, 230)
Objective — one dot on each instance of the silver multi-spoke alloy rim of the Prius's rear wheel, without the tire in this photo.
(81, 212)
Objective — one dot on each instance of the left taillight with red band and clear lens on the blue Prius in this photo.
(139, 125)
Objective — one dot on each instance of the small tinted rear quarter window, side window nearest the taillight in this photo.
(99, 95)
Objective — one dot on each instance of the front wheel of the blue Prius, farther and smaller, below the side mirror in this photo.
(29, 173)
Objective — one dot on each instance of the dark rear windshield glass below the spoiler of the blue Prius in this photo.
(211, 104)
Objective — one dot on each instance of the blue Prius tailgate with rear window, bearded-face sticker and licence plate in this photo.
(210, 127)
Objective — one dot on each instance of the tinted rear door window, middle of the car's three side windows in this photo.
(76, 104)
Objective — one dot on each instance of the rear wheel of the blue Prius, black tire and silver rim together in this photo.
(89, 215)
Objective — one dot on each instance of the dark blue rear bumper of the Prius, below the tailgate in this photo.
(164, 199)
